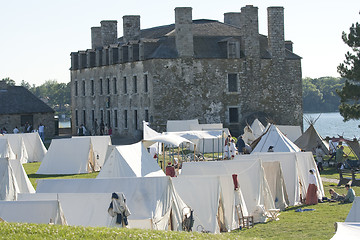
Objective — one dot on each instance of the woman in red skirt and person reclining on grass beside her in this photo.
(312, 196)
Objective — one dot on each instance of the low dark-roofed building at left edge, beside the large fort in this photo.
(19, 106)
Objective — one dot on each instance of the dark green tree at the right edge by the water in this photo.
(350, 69)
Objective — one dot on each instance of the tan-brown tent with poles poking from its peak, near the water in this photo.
(310, 139)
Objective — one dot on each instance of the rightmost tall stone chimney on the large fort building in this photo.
(276, 34)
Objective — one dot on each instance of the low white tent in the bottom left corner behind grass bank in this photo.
(32, 212)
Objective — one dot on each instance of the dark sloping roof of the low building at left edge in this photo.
(19, 100)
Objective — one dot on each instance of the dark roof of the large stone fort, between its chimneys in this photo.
(209, 36)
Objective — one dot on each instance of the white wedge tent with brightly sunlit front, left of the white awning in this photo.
(130, 161)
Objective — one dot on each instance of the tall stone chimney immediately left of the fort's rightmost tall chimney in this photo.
(249, 27)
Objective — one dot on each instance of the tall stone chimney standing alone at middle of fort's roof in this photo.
(183, 31)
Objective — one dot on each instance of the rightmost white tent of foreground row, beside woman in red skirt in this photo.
(295, 168)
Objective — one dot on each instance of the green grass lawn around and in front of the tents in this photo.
(317, 224)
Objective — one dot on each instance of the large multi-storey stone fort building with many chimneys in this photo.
(194, 69)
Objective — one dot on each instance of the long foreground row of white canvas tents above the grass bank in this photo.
(266, 181)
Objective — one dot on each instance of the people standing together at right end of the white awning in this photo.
(231, 148)
